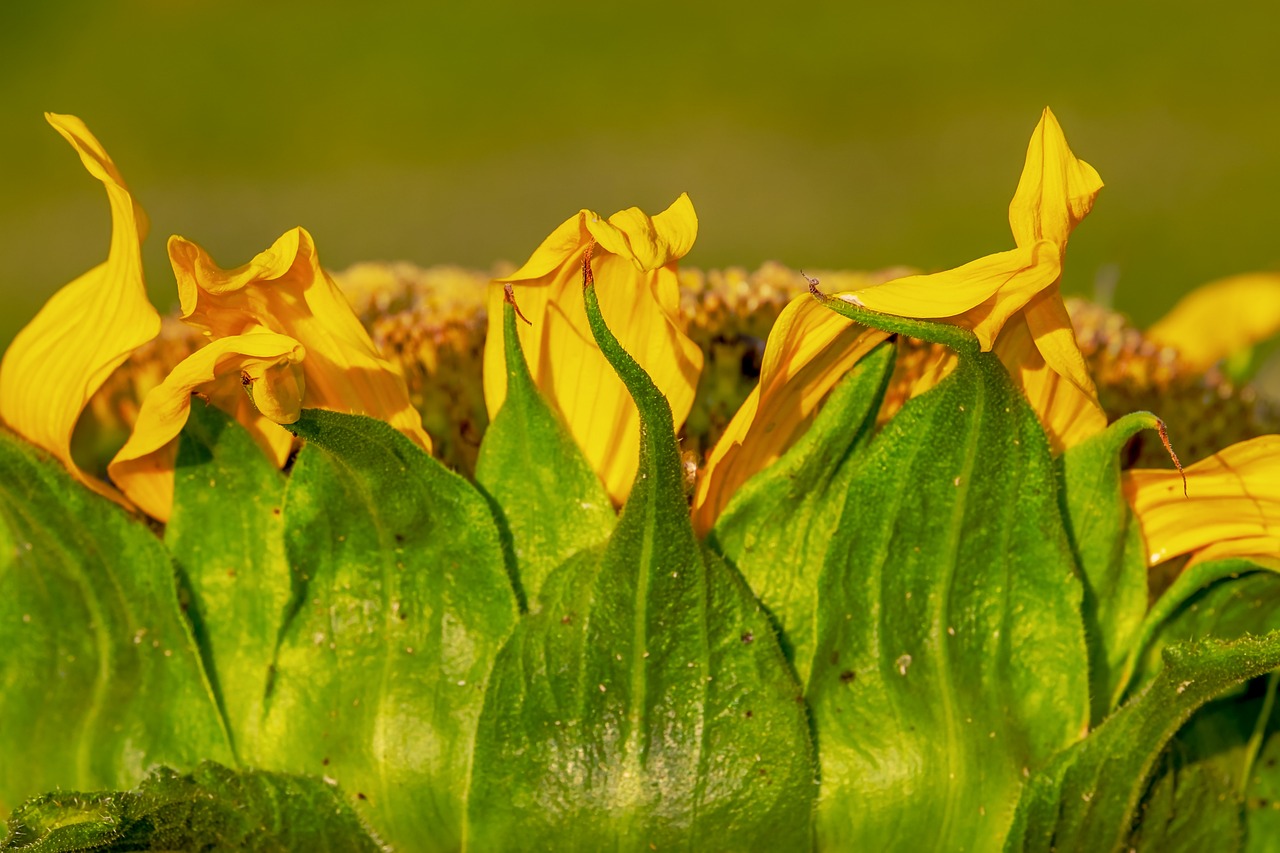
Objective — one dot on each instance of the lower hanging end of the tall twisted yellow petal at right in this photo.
(1068, 414)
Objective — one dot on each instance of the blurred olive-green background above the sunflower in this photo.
(822, 135)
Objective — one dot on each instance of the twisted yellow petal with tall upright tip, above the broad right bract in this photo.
(1012, 300)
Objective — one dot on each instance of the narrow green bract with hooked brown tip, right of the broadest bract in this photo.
(1109, 548)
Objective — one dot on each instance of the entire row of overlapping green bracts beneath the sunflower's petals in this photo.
(927, 636)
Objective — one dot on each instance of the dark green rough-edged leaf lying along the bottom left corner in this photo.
(211, 809)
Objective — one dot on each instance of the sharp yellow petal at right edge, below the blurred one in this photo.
(1232, 507)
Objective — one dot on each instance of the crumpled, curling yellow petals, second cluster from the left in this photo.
(263, 318)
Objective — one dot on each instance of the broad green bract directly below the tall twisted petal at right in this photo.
(950, 656)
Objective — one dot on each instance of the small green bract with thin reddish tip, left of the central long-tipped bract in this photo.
(551, 500)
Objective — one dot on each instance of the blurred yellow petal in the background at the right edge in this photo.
(1220, 318)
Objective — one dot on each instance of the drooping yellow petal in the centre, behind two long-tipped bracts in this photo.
(634, 266)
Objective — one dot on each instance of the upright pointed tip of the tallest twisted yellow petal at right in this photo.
(1057, 189)
